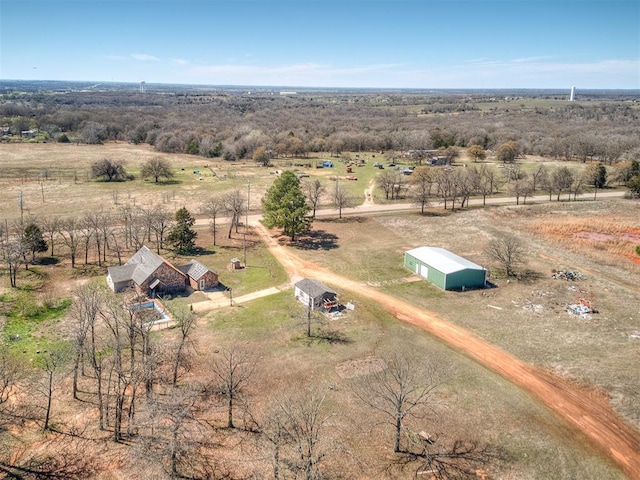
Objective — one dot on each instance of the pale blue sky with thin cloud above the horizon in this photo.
(325, 43)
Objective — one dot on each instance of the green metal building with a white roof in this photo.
(445, 269)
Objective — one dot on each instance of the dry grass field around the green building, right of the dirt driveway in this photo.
(526, 317)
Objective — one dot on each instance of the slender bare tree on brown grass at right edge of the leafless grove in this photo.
(231, 374)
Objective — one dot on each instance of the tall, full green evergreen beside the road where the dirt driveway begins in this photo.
(285, 206)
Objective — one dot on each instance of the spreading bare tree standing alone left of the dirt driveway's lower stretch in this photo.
(404, 389)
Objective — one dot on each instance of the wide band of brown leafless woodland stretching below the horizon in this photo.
(234, 126)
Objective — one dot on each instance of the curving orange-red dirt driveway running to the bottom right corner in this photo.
(589, 414)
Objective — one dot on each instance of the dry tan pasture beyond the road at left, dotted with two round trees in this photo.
(54, 179)
